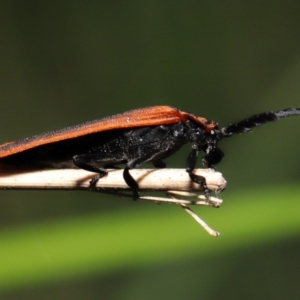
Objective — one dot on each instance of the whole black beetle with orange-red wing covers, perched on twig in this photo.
(132, 138)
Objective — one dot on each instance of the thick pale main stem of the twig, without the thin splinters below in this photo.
(148, 179)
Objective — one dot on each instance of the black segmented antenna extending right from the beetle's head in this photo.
(257, 120)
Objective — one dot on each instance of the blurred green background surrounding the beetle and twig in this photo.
(66, 62)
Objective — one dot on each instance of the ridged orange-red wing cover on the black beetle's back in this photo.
(149, 116)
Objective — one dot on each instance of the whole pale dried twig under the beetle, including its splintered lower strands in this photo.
(175, 182)
